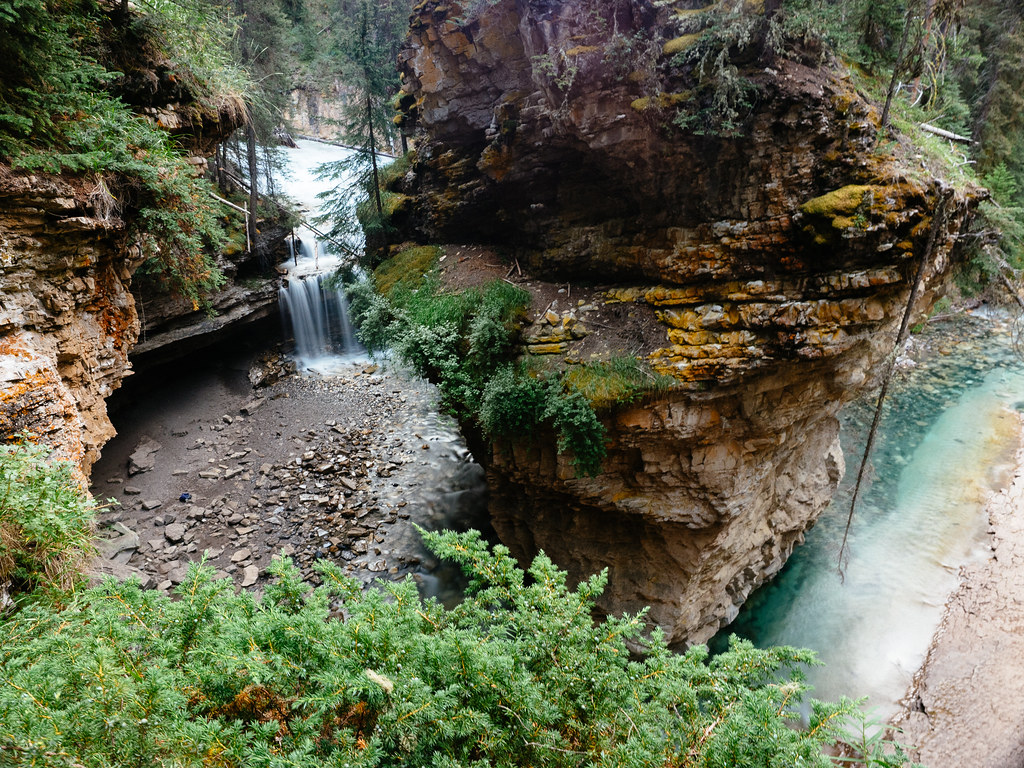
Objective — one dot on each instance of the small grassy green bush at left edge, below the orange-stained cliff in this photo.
(46, 523)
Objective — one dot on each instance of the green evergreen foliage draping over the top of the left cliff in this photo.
(60, 111)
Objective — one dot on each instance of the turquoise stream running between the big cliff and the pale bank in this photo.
(948, 440)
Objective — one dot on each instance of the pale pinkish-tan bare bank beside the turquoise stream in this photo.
(966, 707)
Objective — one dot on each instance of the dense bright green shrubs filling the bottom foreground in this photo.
(518, 675)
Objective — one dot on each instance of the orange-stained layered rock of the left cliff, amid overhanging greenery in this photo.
(68, 319)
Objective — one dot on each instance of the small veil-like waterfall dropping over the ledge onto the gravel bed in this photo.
(318, 318)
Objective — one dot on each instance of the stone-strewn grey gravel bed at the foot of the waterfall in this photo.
(311, 467)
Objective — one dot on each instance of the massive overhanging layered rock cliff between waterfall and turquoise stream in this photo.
(763, 261)
